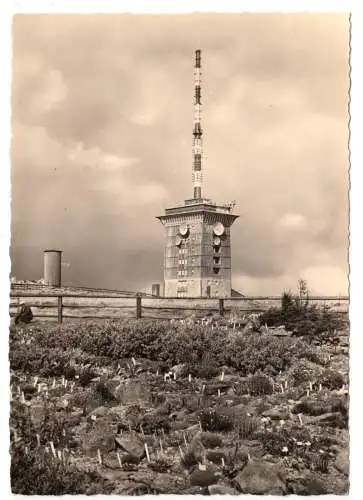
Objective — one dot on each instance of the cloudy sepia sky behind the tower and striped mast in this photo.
(102, 112)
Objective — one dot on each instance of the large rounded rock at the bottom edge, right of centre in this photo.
(261, 478)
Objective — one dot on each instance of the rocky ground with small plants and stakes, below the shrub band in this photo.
(139, 427)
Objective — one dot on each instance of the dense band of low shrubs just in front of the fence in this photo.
(203, 349)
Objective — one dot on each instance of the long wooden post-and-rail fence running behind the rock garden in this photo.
(63, 306)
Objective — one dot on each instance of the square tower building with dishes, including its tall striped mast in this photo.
(197, 257)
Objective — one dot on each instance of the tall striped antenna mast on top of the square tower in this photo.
(197, 131)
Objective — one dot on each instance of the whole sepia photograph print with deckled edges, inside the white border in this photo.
(179, 296)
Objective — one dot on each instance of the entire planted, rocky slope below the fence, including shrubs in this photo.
(147, 407)
